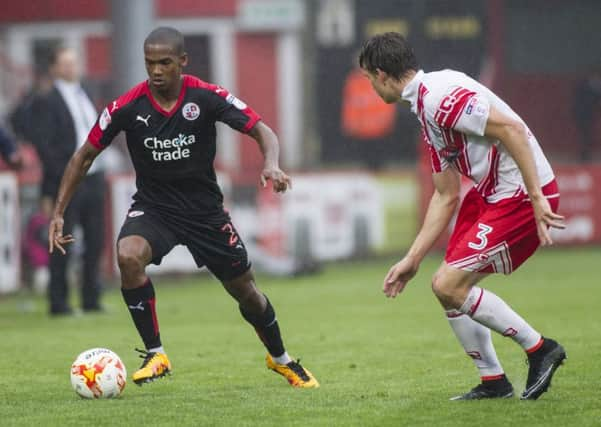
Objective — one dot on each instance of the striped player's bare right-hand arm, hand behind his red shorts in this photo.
(512, 134)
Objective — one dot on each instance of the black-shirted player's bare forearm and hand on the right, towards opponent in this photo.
(268, 142)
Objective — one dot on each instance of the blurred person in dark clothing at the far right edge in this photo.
(587, 109)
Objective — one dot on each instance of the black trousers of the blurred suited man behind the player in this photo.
(87, 210)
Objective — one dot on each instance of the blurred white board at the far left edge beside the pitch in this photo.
(10, 233)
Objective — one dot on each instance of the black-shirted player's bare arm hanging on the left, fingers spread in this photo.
(74, 172)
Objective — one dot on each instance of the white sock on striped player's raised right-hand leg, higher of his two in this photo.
(488, 309)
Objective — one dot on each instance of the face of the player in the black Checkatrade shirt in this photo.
(164, 66)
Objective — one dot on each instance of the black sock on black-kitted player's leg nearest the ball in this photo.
(141, 304)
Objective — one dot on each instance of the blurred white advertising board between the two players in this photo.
(326, 216)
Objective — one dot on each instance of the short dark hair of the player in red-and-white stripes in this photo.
(388, 52)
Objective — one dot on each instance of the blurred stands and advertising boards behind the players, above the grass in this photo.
(359, 171)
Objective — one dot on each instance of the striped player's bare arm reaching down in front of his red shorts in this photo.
(440, 211)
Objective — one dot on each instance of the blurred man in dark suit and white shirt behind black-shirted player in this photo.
(63, 119)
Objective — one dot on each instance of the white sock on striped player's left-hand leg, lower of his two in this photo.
(475, 339)
